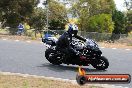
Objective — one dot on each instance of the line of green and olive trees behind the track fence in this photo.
(93, 15)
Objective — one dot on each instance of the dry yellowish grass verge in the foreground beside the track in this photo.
(13, 81)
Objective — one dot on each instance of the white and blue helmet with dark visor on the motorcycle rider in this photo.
(72, 29)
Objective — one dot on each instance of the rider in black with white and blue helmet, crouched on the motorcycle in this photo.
(64, 41)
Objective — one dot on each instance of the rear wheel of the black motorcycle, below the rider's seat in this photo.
(52, 57)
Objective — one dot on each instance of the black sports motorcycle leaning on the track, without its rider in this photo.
(90, 54)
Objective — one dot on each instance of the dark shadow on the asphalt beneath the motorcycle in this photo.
(62, 68)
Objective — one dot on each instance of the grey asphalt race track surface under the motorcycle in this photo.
(29, 58)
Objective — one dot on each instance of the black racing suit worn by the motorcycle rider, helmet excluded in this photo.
(64, 44)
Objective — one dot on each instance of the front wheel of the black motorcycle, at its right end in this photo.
(100, 63)
